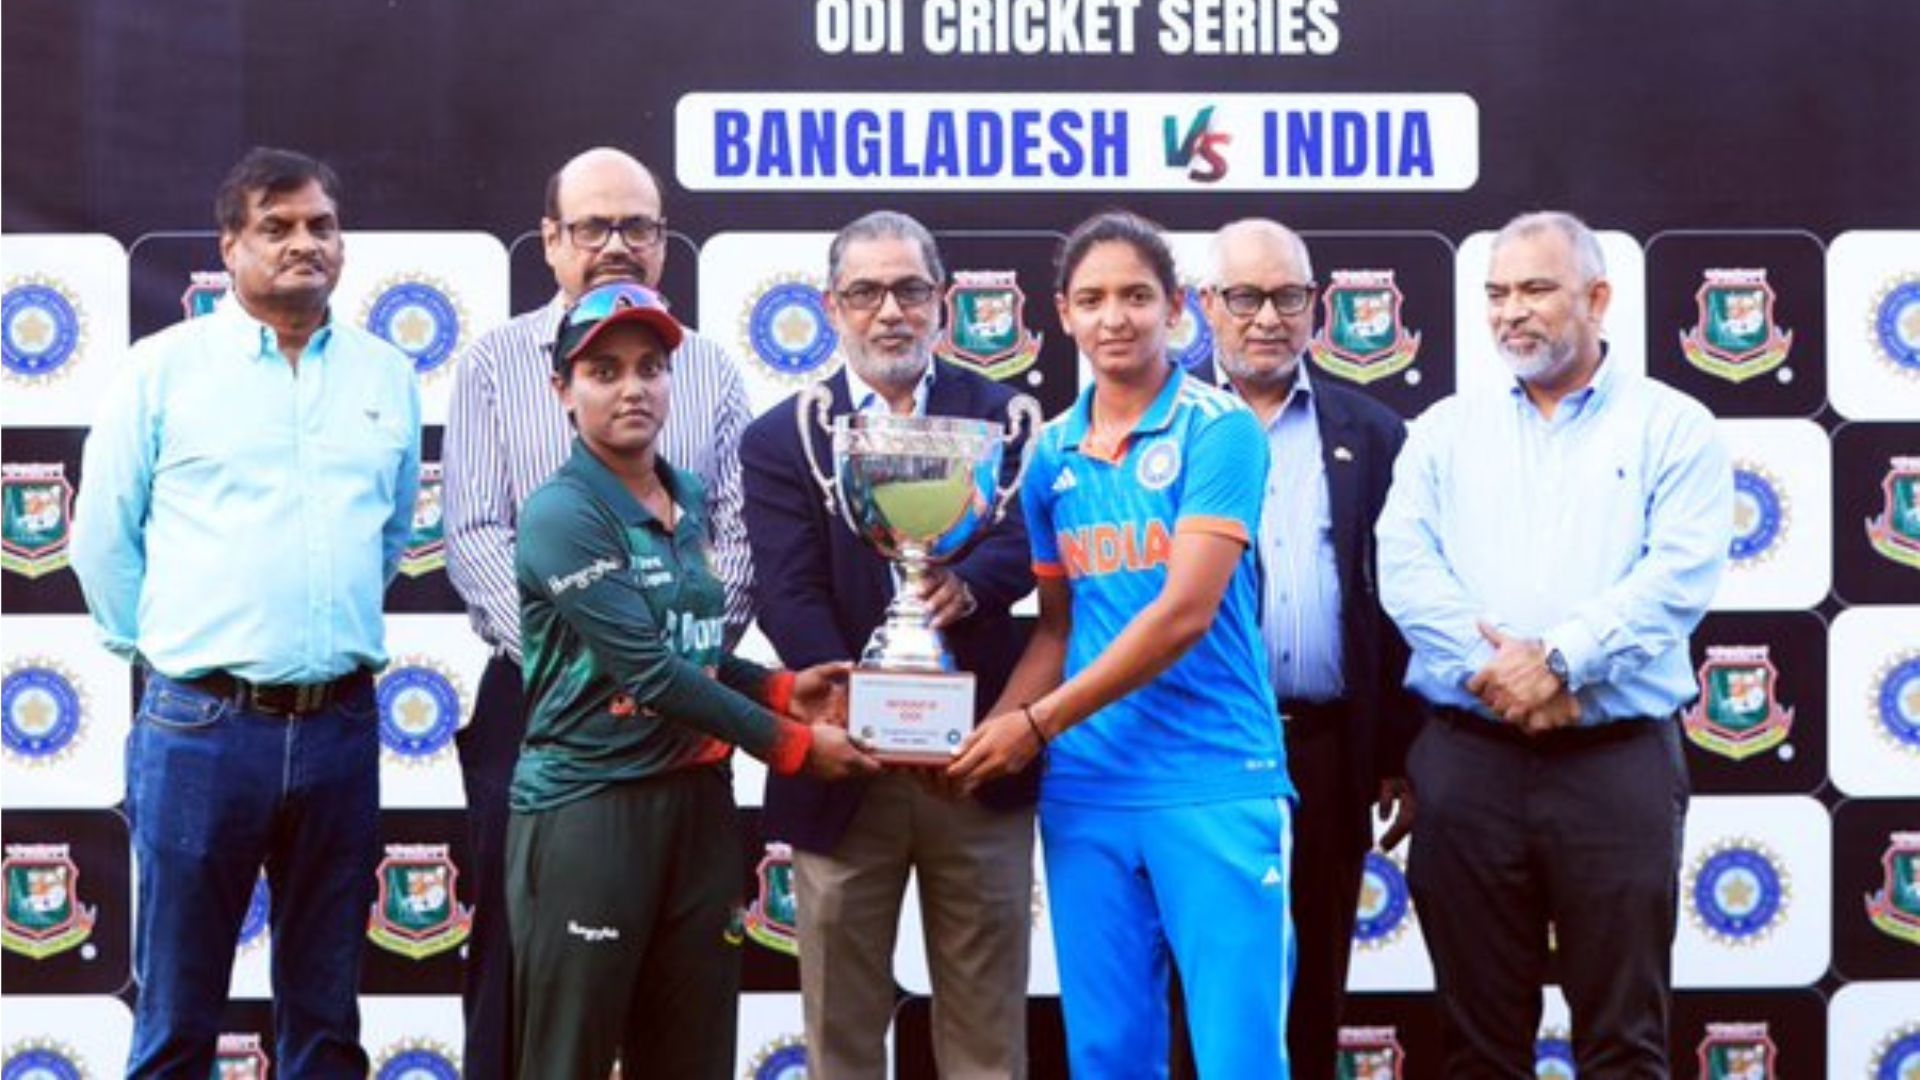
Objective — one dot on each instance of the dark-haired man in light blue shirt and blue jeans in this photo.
(249, 489)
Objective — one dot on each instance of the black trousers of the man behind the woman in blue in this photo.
(1332, 839)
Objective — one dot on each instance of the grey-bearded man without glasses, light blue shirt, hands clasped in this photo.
(1547, 551)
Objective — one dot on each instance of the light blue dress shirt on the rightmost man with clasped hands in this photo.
(1602, 533)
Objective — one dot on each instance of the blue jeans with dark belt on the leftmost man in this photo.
(214, 793)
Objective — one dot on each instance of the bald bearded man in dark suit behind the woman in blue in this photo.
(1333, 656)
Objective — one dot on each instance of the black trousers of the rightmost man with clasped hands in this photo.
(1577, 831)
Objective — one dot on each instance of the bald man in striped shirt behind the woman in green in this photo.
(506, 435)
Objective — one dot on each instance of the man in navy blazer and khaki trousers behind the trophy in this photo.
(821, 593)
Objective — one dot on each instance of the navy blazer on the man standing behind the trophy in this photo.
(821, 591)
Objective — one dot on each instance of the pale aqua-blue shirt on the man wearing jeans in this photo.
(241, 516)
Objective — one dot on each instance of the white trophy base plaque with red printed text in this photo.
(911, 718)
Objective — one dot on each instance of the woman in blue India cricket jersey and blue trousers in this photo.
(1164, 808)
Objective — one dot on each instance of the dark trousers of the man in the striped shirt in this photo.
(489, 749)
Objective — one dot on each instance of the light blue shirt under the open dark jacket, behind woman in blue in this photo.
(1301, 577)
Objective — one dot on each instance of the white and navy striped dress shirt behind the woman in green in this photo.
(508, 433)
